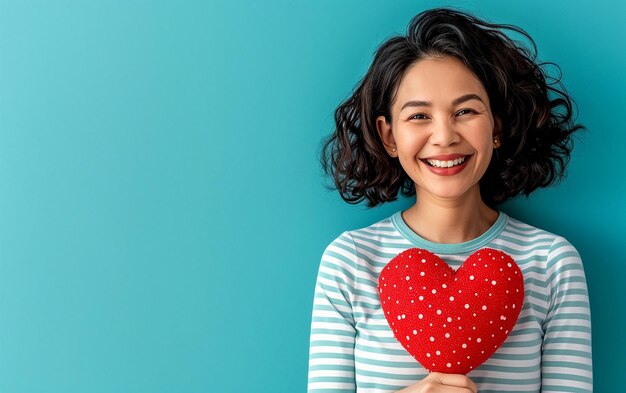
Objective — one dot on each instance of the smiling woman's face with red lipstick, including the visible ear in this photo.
(442, 128)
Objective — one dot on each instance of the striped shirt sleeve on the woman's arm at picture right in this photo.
(566, 356)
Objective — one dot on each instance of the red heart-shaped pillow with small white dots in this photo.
(451, 321)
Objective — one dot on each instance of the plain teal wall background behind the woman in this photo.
(162, 209)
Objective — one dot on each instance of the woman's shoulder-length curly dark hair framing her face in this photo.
(535, 139)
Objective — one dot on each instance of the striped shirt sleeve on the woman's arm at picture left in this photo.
(331, 351)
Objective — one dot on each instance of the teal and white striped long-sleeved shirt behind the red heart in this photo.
(352, 348)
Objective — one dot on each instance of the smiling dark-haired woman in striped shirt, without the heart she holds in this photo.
(457, 114)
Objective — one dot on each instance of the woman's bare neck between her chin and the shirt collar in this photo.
(450, 221)
